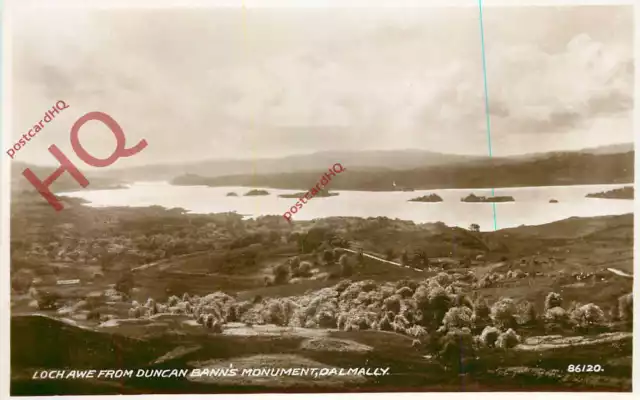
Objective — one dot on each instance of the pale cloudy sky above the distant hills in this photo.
(243, 83)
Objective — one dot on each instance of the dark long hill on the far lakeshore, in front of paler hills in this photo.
(575, 168)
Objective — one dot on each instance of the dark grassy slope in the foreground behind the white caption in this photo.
(409, 369)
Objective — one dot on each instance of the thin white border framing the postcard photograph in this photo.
(38, 5)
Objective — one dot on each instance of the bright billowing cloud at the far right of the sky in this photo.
(537, 92)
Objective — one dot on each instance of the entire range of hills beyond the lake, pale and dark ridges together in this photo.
(373, 170)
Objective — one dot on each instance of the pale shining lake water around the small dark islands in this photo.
(531, 206)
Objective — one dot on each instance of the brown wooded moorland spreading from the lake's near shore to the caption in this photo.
(164, 289)
